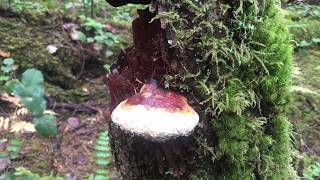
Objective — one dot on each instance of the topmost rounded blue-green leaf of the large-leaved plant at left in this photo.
(32, 77)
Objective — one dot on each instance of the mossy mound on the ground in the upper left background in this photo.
(26, 38)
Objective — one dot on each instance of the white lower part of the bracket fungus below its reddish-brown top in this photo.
(155, 123)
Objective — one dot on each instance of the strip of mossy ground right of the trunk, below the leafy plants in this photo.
(305, 110)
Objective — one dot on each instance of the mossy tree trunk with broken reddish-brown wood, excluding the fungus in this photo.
(232, 59)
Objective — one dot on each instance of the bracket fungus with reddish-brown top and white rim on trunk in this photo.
(155, 114)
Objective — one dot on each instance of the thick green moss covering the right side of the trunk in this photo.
(235, 60)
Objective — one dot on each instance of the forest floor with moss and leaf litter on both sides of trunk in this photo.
(76, 91)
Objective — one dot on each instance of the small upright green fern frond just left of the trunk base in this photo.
(102, 155)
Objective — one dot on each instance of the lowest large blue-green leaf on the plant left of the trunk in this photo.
(46, 126)
